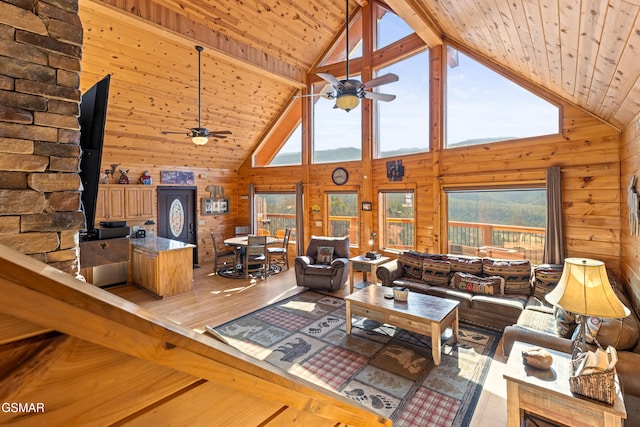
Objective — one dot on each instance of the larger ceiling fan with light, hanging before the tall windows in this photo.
(348, 92)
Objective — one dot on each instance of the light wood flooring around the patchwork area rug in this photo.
(215, 300)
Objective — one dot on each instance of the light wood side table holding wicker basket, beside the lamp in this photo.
(547, 394)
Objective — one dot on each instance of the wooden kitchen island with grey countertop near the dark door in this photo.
(162, 266)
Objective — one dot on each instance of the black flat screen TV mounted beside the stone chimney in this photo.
(93, 117)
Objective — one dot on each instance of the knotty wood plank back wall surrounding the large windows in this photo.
(587, 150)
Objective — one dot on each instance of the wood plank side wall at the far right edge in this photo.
(630, 244)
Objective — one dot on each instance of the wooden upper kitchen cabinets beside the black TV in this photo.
(120, 202)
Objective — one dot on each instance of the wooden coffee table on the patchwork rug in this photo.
(423, 314)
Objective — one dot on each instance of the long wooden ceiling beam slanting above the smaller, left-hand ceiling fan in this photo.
(231, 50)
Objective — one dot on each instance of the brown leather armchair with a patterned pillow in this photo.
(324, 271)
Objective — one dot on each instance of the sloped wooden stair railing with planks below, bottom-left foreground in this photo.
(88, 357)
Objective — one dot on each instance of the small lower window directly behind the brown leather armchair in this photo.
(343, 216)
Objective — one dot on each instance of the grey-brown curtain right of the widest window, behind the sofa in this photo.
(554, 251)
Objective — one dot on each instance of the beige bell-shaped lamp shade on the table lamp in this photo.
(585, 289)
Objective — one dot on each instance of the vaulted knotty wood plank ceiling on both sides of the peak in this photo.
(257, 54)
